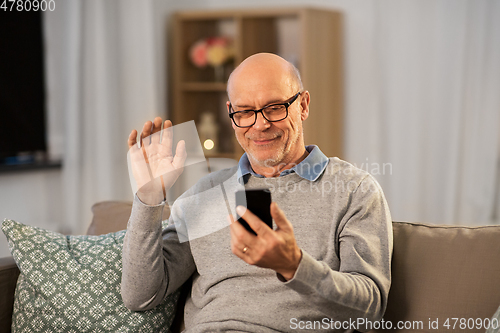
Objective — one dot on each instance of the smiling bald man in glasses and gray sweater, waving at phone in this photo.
(327, 262)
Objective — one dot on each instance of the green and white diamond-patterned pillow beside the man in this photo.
(71, 284)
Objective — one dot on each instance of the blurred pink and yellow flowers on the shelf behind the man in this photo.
(213, 51)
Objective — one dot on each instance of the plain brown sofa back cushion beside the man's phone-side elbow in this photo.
(441, 272)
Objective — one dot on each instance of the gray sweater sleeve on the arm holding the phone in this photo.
(359, 289)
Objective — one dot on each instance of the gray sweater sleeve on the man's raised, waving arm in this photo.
(155, 263)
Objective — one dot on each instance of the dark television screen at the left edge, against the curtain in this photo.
(22, 92)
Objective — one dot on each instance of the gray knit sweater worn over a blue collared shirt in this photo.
(341, 222)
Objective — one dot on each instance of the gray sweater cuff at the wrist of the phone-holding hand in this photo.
(309, 273)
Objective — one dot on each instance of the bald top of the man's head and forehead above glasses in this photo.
(263, 69)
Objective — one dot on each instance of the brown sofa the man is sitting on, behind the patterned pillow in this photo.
(444, 278)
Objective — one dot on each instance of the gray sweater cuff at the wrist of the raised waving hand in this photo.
(144, 217)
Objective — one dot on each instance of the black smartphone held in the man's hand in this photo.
(258, 201)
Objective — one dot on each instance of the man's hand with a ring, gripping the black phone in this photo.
(275, 249)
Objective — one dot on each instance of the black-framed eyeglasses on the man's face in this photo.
(271, 113)
